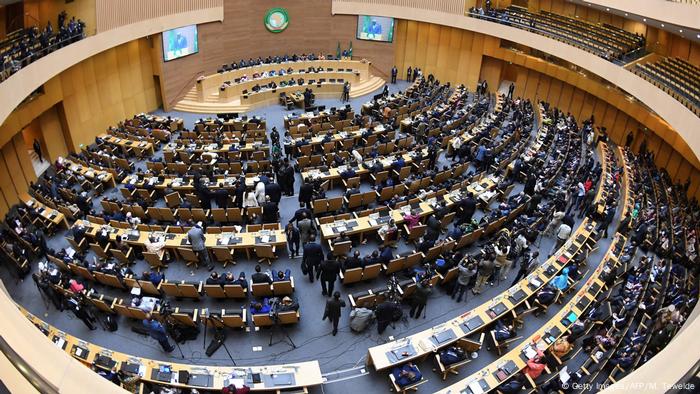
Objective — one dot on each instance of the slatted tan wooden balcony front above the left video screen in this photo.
(111, 14)
